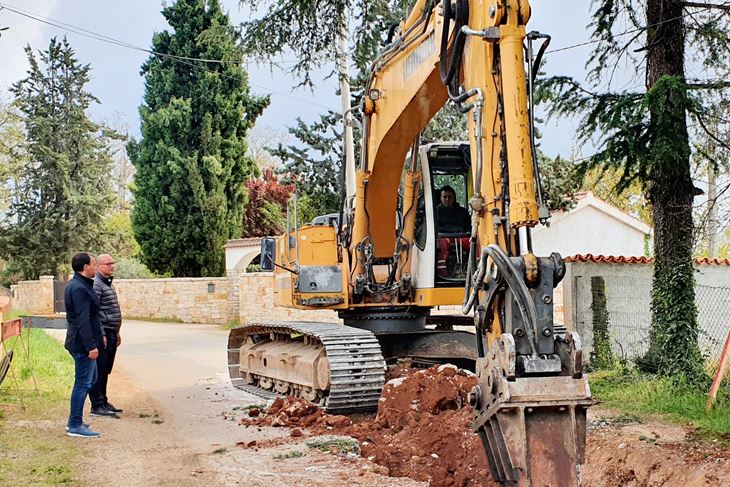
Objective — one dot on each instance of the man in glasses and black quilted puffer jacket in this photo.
(111, 321)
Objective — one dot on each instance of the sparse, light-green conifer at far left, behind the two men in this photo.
(63, 190)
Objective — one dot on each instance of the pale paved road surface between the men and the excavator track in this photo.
(183, 367)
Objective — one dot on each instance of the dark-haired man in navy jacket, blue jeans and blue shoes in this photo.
(84, 338)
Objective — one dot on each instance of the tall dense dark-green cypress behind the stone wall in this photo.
(191, 163)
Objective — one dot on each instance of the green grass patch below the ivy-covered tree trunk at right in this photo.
(630, 392)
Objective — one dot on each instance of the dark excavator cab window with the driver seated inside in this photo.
(450, 187)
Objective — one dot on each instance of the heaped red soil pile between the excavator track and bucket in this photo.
(421, 429)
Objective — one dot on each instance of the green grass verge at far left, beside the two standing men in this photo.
(35, 449)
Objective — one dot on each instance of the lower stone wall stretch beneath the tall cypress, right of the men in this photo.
(186, 299)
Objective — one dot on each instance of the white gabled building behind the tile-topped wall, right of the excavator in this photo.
(592, 227)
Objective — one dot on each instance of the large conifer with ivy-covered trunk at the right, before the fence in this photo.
(645, 134)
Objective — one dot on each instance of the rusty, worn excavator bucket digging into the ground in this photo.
(533, 427)
